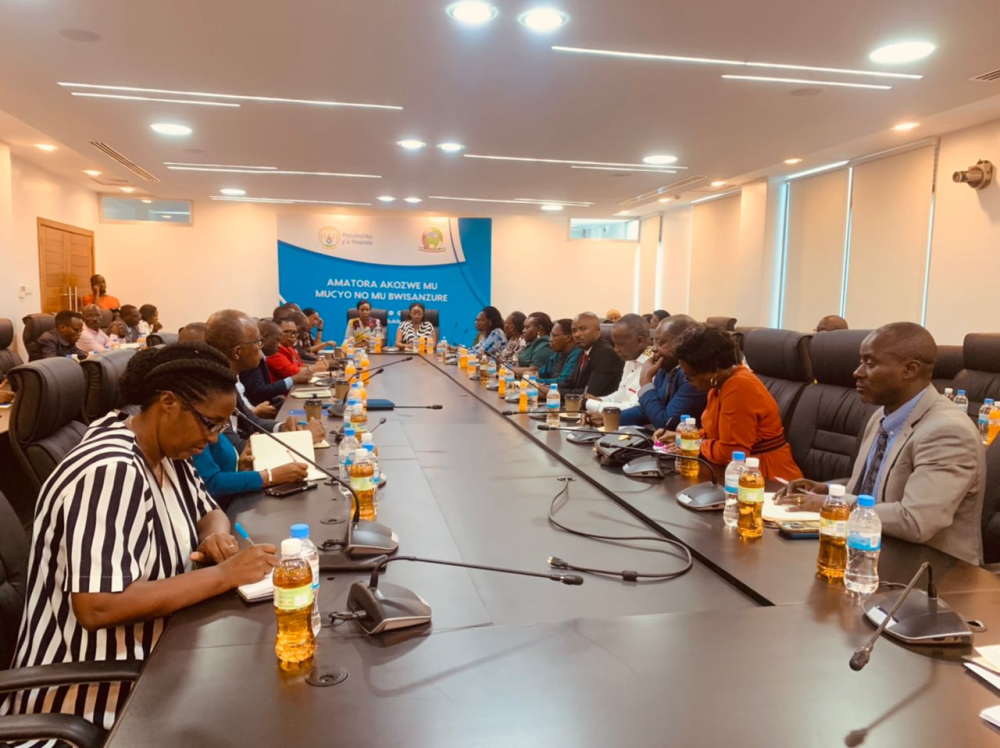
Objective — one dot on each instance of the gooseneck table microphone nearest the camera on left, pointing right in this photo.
(391, 607)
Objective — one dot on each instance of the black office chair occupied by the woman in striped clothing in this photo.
(22, 727)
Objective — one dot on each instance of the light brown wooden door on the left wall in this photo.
(65, 264)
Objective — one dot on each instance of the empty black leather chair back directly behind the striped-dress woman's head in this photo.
(44, 423)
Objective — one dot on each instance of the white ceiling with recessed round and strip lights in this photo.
(498, 89)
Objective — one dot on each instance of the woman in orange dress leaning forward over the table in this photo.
(741, 415)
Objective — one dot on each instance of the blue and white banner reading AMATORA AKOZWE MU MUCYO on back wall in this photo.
(332, 262)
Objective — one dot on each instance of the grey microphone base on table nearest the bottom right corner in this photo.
(920, 620)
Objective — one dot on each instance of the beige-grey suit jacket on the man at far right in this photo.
(932, 490)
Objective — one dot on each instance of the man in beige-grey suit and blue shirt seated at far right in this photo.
(921, 457)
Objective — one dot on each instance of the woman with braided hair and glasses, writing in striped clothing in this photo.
(120, 525)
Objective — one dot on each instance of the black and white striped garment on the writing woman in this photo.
(102, 522)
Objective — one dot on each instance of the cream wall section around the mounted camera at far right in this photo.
(965, 251)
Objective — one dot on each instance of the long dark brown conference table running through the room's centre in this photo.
(749, 646)
